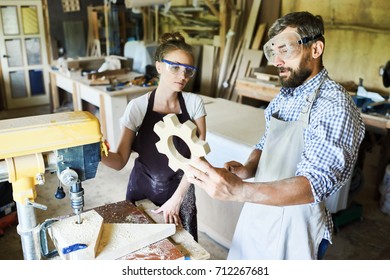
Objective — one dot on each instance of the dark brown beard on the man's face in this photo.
(298, 76)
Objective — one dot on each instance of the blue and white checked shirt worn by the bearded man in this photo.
(332, 138)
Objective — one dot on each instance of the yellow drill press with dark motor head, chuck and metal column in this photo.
(66, 143)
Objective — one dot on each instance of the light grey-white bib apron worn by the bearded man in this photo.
(273, 232)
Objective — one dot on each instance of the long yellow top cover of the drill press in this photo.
(45, 133)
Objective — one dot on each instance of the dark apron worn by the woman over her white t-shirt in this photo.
(151, 177)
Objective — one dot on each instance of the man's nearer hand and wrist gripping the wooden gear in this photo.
(219, 183)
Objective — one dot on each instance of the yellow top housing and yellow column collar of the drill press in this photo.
(23, 140)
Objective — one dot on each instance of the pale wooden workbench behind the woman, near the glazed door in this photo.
(111, 104)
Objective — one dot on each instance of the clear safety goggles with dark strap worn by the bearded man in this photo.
(286, 46)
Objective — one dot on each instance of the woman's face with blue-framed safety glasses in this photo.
(176, 71)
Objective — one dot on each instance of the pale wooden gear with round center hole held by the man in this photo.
(171, 126)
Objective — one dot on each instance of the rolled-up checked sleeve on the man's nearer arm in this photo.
(331, 147)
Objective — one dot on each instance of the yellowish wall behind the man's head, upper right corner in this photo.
(357, 34)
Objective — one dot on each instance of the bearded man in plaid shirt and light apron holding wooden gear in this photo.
(307, 153)
